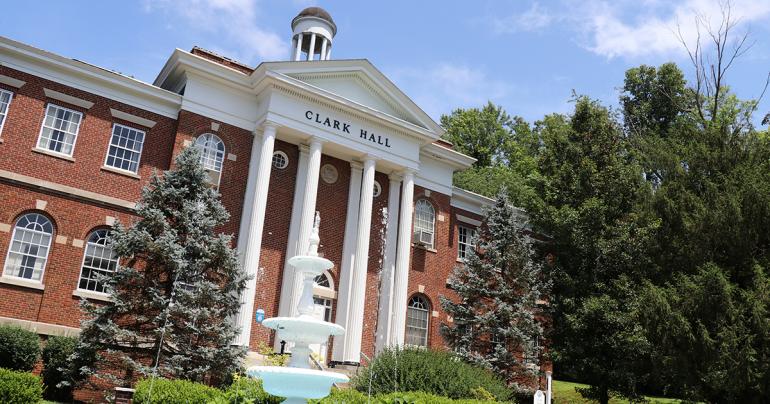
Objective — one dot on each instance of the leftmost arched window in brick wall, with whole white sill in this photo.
(30, 243)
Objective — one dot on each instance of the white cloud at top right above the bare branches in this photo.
(633, 29)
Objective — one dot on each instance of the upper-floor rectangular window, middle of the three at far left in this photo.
(60, 129)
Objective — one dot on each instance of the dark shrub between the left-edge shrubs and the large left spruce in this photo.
(56, 363)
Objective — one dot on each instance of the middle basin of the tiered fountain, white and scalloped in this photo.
(303, 329)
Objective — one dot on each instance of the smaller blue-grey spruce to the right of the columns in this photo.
(495, 321)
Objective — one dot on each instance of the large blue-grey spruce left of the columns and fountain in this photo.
(174, 292)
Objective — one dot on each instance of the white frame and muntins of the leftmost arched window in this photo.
(26, 246)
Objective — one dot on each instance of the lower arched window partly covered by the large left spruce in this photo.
(98, 261)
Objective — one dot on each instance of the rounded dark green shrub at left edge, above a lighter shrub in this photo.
(19, 348)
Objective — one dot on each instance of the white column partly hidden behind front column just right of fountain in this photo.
(348, 257)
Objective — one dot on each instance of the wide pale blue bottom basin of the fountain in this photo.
(294, 383)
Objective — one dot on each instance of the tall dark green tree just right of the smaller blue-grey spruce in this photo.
(588, 191)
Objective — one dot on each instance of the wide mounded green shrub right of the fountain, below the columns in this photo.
(435, 372)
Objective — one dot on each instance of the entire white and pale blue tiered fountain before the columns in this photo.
(298, 381)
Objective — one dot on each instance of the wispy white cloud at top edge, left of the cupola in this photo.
(236, 20)
